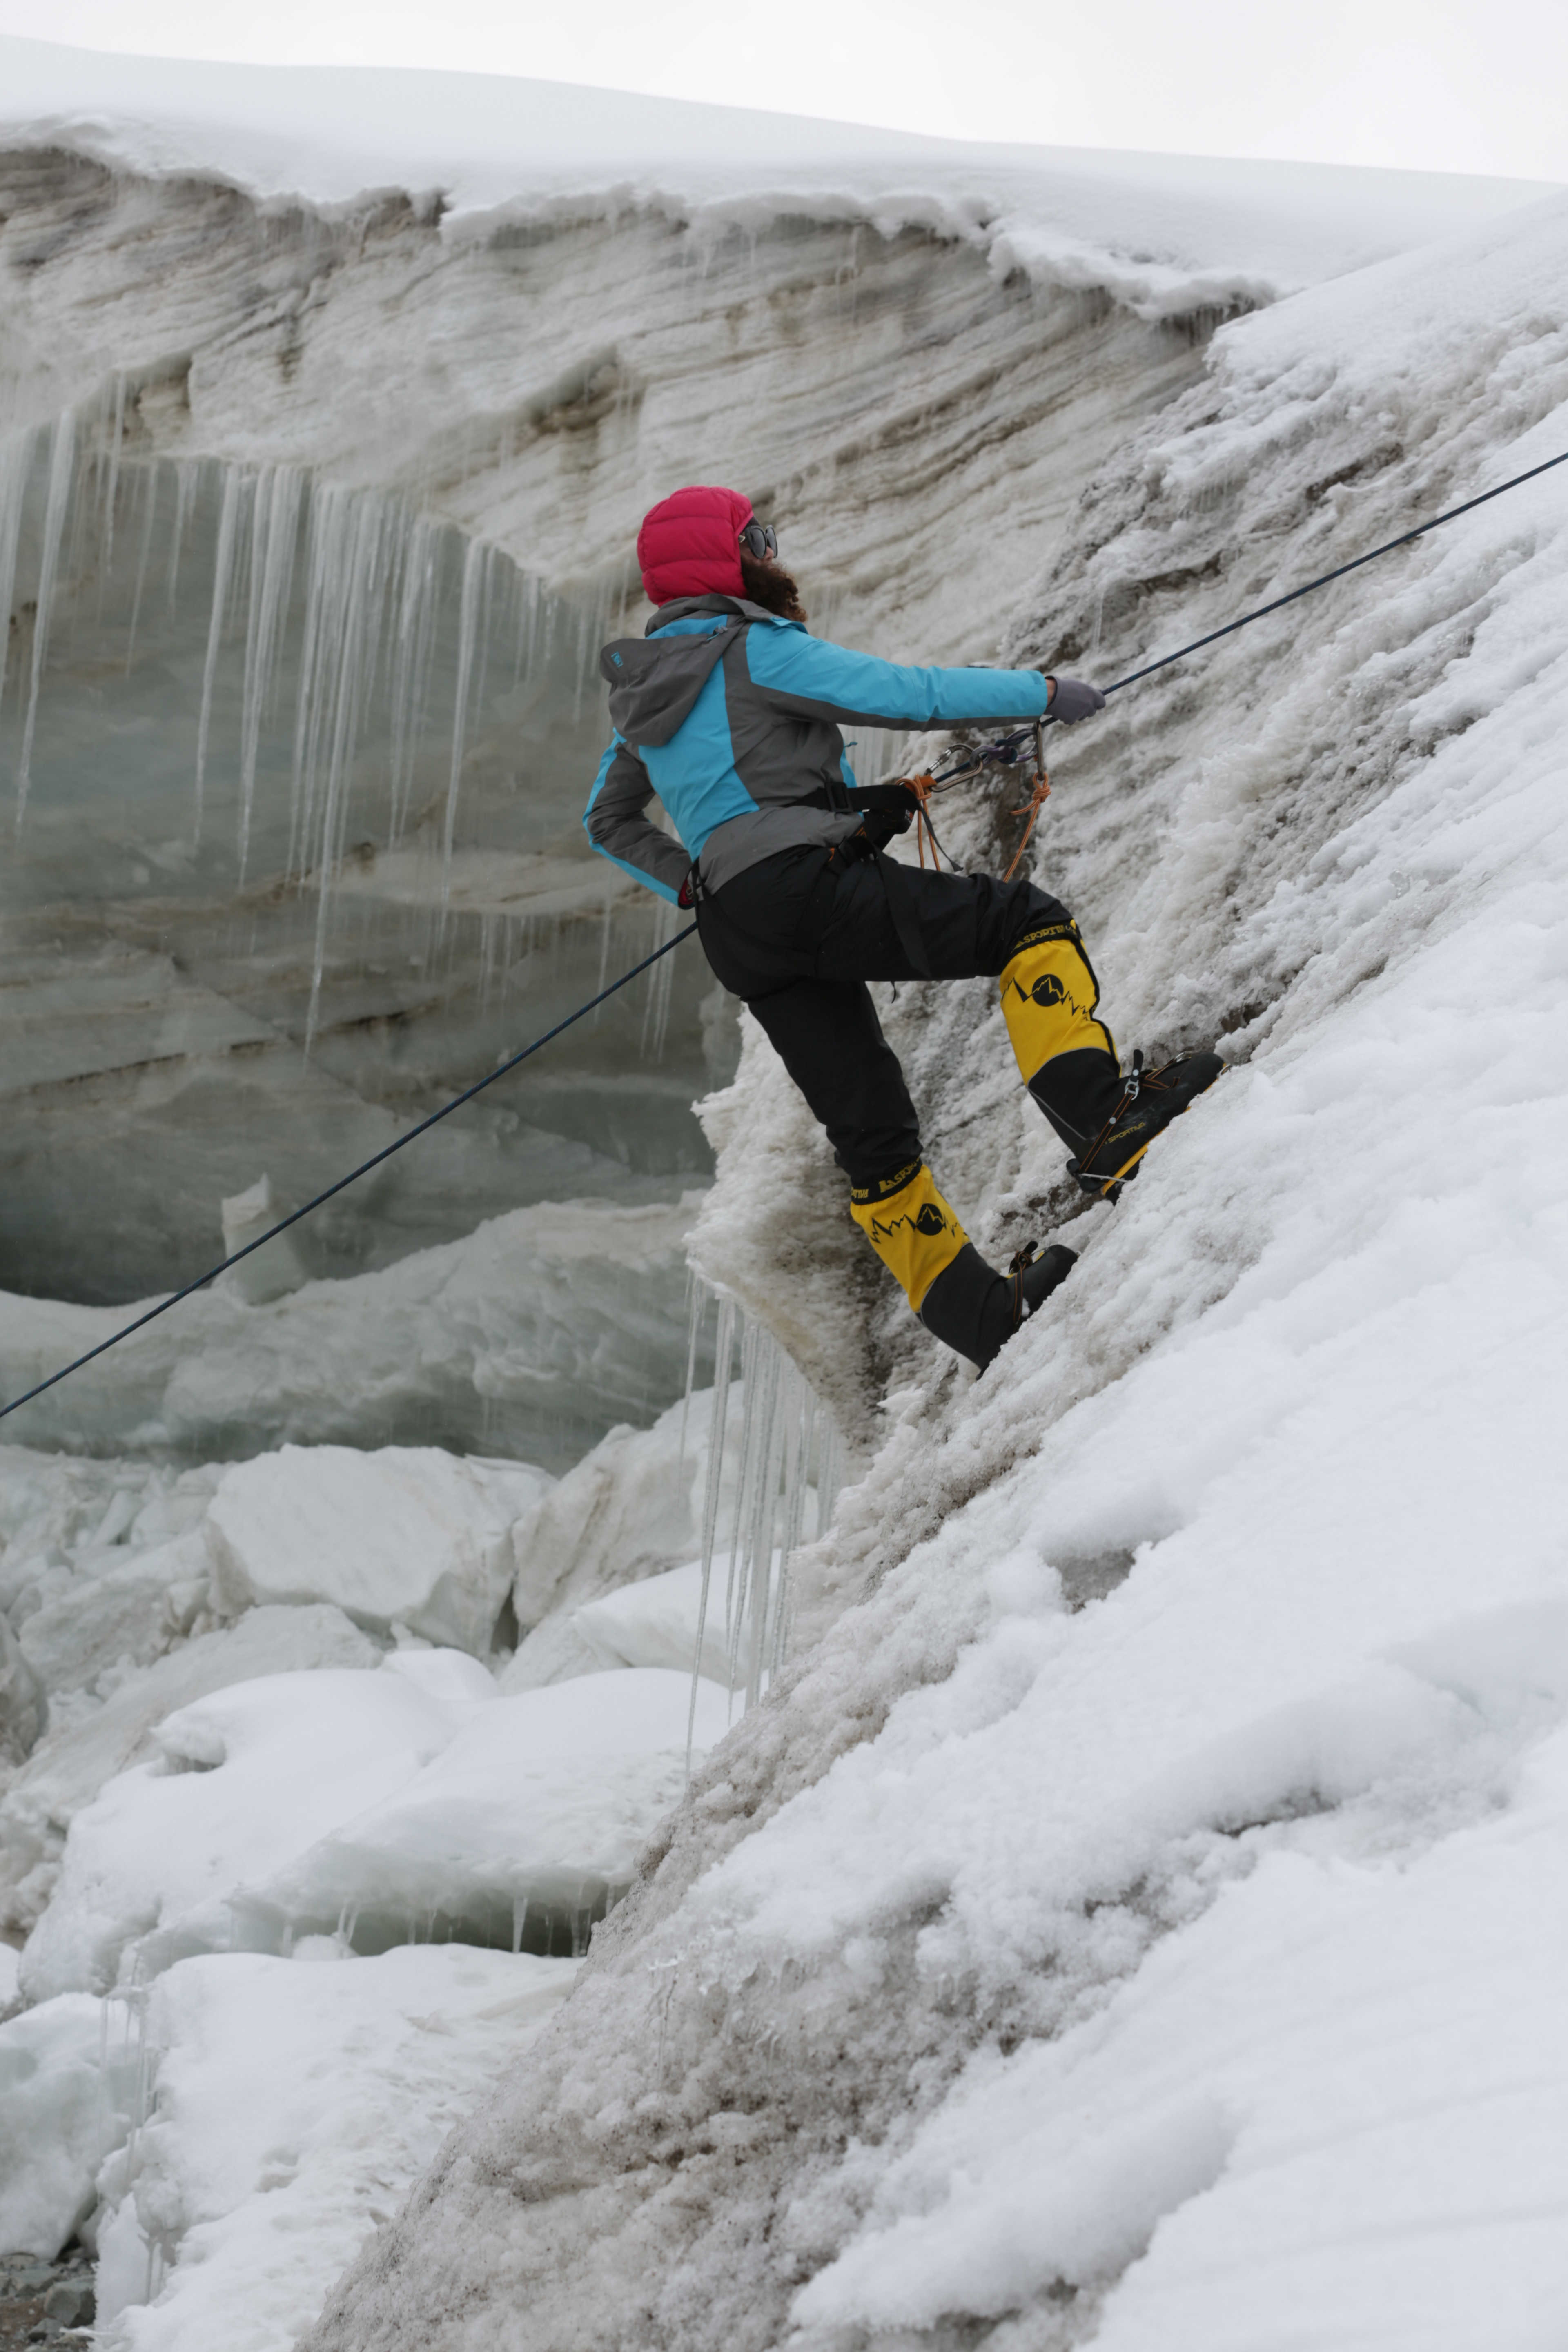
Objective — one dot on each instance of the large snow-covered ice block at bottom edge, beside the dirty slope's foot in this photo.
(290, 2109)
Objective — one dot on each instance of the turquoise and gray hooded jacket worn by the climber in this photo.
(732, 719)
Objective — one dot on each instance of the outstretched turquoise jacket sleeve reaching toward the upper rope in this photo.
(817, 681)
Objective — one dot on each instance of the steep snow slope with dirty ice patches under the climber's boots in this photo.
(1139, 1920)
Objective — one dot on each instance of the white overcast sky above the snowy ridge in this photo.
(1461, 86)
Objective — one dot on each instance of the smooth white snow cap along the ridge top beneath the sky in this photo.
(1165, 234)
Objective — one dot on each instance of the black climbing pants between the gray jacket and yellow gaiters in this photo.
(803, 933)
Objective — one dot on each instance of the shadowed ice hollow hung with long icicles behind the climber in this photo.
(297, 853)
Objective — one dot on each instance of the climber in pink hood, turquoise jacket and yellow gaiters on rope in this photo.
(730, 711)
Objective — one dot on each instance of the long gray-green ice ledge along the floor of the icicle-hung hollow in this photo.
(537, 1335)
